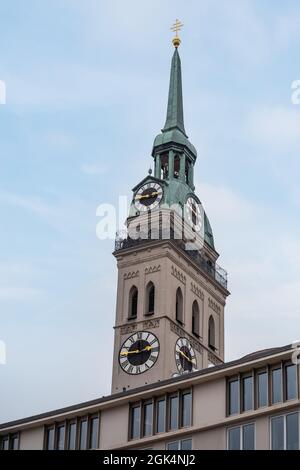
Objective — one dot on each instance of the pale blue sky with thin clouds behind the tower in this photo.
(87, 86)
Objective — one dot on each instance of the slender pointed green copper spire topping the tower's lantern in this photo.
(175, 103)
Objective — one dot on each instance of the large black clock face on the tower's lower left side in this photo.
(139, 353)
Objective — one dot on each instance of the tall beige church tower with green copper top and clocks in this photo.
(171, 293)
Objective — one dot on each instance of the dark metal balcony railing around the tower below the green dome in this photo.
(212, 269)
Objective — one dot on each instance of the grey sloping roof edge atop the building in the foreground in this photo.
(98, 401)
